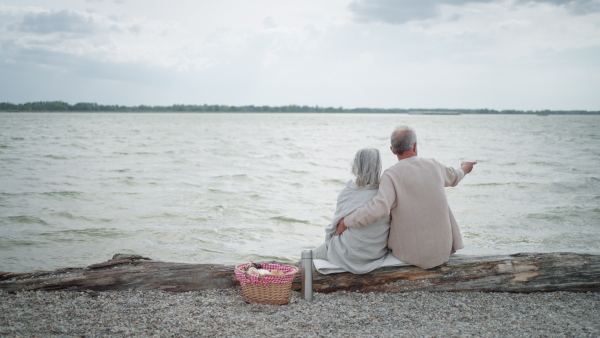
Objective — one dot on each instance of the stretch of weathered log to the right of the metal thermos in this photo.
(525, 272)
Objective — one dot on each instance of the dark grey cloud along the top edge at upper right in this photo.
(402, 11)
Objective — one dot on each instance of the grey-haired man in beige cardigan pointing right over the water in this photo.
(423, 230)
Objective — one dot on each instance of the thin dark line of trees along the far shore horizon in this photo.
(60, 106)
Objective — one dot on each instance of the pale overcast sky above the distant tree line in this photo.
(494, 54)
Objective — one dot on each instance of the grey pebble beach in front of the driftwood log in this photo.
(220, 313)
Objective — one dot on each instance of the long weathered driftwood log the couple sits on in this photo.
(525, 272)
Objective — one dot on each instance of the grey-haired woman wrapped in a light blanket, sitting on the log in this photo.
(358, 250)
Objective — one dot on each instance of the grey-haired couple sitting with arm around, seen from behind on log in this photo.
(404, 211)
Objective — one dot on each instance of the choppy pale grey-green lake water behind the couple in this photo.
(76, 188)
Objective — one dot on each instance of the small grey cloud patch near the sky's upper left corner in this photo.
(56, 22)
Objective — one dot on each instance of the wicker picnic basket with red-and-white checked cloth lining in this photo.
(272, 290)
